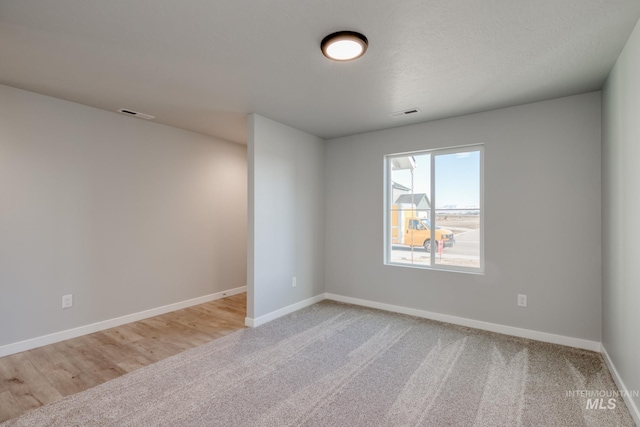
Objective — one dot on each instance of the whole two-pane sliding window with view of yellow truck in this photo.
(435, 193)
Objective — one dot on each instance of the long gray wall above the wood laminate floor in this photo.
(126, 215)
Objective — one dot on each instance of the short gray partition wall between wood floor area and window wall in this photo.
(286, 216)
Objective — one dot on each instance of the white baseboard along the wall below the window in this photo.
(477, 324)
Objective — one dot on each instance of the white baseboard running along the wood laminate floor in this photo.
(32, 343)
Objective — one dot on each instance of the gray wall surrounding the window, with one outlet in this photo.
(542, 218)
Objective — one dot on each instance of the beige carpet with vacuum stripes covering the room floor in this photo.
(339, 365)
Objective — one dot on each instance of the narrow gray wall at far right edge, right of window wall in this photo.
(621, 214)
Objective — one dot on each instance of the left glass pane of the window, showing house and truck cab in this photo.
(410, 208)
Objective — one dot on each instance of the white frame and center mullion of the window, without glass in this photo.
(388, 203)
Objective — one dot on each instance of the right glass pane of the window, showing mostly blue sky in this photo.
(457, 209)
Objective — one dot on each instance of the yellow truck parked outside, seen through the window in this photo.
(407, 229)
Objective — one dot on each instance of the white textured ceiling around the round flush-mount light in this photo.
(203, 65)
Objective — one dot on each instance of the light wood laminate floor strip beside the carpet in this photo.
(44, 375)
